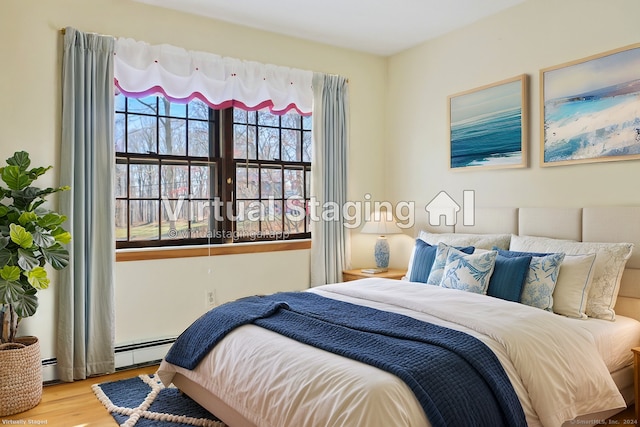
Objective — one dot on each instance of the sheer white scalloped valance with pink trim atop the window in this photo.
(141, 69)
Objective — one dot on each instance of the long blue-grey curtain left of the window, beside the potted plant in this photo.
(86, 321)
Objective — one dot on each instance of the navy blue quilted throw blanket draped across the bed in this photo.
(456, 378)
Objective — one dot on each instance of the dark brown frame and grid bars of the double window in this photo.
(222, 182)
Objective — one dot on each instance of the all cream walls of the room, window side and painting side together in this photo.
(398, 152)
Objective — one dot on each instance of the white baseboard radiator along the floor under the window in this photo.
(127, 356)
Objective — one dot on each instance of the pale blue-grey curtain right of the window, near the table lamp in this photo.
(330, 246)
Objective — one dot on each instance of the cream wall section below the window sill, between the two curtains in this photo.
(159, 298)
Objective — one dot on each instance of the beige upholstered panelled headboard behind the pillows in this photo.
(589, 224)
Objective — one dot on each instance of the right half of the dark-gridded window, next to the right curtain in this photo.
(272, 163)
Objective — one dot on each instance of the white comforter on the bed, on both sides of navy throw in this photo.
(274, 381)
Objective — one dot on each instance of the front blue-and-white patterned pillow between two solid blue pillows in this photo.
(468, 272)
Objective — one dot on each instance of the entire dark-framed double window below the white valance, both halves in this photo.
(187, 174)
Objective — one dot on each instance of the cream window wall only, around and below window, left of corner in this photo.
(156, 299)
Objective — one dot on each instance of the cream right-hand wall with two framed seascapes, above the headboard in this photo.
(521, 40)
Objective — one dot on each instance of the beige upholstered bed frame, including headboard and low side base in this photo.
(589, 224)
